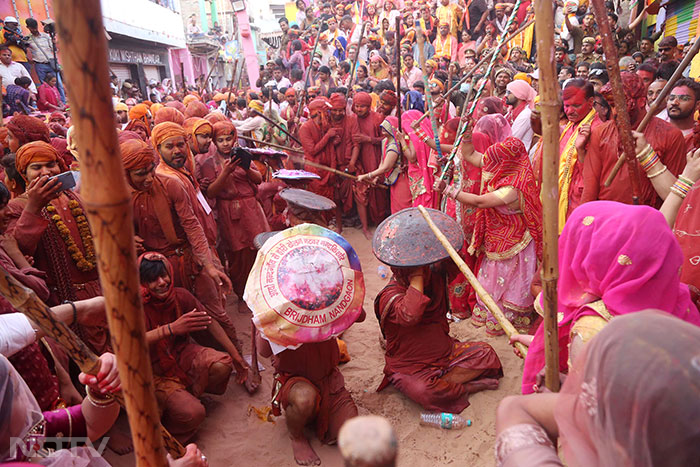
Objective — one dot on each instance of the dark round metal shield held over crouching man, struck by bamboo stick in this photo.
(404, 239)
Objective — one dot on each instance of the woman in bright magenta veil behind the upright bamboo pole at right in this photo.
(614, 259)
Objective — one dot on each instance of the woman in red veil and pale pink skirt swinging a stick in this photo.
(507, 228)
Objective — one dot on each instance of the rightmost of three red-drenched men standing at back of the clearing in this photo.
(370, 139)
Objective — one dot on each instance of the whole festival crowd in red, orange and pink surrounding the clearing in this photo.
(373, 115)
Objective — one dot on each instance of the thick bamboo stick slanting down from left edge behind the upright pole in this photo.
(25, 300)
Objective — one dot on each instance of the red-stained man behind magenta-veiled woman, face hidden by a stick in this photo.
(604, 150)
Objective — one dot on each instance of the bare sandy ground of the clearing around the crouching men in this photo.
(230, 437)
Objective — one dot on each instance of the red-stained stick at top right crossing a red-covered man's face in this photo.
(622, 117)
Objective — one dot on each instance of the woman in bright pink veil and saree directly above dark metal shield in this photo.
(420, 176)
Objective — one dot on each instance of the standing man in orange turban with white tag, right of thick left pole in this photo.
(176, 161)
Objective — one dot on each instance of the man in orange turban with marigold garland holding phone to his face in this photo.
(50, 225)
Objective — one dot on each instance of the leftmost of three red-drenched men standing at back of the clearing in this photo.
(318, 140)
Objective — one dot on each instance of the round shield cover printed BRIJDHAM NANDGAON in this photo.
(306, 286)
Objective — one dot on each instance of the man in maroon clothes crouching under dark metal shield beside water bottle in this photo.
(422, 360)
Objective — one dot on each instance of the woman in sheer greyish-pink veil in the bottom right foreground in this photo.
(631, 399)
